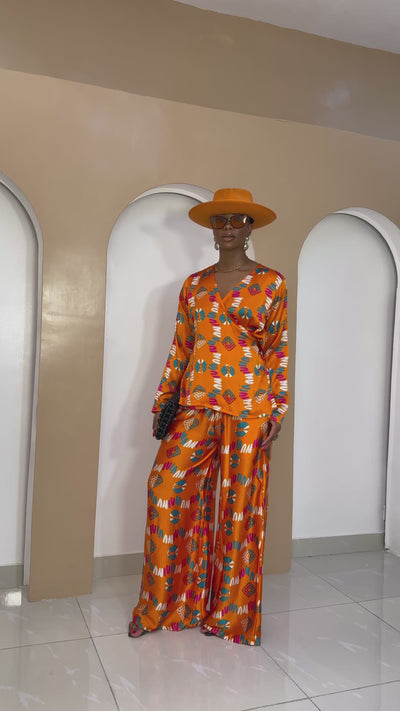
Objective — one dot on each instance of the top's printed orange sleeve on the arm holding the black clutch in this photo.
(178, 358)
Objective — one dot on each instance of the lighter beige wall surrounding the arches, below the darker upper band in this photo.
(79, 168)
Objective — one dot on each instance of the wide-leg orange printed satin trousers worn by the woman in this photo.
(180, 564)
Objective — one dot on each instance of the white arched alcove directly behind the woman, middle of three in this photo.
(153, 247)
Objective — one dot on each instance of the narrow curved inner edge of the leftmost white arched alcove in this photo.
(32, 218)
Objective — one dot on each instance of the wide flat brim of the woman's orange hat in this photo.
(204, 211)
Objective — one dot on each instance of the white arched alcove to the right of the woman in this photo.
(347, 457)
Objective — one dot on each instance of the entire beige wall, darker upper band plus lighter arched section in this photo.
(81, 152)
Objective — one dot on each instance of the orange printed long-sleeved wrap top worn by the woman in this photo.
(230, 354)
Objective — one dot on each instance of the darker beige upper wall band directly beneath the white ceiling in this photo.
(174, 51)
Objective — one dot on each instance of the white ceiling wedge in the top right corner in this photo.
(371, 23)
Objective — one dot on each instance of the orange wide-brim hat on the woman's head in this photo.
(232, 201)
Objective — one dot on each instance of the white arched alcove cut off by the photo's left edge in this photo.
(20, 318)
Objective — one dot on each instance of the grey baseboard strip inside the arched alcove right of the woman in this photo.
(304, 547)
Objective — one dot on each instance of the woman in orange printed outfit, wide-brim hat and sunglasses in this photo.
(229, 361)
